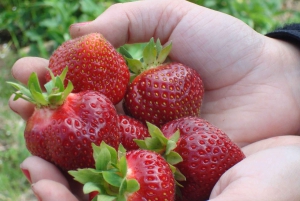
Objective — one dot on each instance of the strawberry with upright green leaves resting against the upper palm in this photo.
(160, 92)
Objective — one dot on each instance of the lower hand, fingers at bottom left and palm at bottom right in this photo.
(269, 173)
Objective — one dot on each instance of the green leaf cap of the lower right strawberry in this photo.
(165, 146)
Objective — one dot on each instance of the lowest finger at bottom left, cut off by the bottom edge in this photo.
(48, 190)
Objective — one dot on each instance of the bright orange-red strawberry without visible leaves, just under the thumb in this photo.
(93, 64)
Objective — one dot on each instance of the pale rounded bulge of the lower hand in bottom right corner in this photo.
(266, 175)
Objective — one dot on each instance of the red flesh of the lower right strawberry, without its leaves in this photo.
(207, 153)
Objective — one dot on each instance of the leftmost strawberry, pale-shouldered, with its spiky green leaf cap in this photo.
(64, 124)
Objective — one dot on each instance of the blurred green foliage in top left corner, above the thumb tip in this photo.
(34, 23)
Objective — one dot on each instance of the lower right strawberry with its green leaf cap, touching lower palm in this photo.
(206, 153)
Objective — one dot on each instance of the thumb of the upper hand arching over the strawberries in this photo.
(131, 23)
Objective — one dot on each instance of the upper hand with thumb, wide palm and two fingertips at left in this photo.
(251, 81)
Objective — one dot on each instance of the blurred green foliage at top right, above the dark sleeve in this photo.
(263, 16)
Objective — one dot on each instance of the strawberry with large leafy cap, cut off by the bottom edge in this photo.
(134, 176)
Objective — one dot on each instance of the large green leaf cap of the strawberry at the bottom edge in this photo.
(109, 176)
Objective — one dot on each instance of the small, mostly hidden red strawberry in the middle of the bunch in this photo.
(130, 129)
